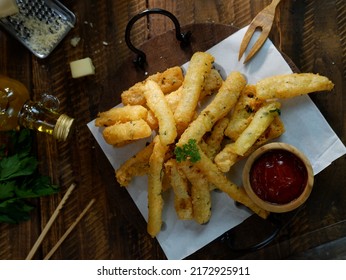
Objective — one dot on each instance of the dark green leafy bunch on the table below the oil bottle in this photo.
(19, 178)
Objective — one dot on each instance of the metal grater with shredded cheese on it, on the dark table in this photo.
(40, 25)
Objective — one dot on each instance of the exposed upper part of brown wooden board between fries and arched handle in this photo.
(164, 51)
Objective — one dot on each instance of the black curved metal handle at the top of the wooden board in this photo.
(184, 38)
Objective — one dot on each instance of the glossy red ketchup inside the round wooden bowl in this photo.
(278, 176)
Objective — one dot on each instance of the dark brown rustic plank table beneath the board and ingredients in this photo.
(311, 33)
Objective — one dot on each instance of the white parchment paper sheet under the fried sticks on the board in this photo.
(306, 129)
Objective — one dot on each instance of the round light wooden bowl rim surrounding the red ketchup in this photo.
(270, 205)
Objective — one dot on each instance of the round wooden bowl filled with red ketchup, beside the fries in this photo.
(278, 177)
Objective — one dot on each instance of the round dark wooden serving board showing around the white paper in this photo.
(162, 52)
